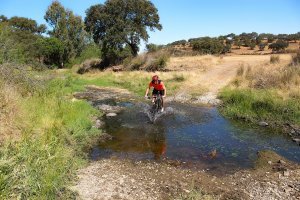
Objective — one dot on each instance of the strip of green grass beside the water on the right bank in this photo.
(255, 105)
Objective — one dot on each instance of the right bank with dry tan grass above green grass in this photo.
(266, 95)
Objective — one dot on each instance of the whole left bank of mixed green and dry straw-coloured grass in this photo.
(44, 136)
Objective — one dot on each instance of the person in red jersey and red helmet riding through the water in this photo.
(158, 88)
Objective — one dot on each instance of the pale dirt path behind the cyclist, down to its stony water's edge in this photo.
(216, 74)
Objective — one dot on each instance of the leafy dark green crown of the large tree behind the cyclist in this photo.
(118, 24)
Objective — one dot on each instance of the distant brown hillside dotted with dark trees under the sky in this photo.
(243, 44)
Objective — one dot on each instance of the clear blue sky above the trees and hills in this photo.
(184, 19)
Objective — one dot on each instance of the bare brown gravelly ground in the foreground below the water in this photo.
(125, 179)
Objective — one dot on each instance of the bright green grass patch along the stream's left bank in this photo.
(55, 133)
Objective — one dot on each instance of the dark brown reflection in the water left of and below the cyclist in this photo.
(136, 138)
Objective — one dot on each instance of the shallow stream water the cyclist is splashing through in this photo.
(190, 135)
